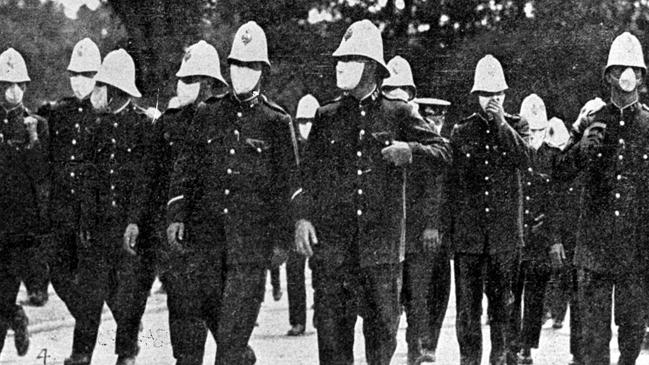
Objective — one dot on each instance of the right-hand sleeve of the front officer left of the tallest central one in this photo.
(285, 171)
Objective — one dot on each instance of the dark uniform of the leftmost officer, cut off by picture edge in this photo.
(23, 187)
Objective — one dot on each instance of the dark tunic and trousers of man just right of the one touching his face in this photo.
(541, 202)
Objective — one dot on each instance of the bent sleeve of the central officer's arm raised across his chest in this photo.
(425, 143)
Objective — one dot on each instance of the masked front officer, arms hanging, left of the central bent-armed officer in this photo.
(230, 193)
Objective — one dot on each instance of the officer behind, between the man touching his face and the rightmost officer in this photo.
(543, 246)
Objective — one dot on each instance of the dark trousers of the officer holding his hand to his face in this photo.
(493, 275)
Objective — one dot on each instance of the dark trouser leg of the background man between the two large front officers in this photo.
(295, 283)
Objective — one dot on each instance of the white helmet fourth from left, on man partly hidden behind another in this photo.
(201, 59)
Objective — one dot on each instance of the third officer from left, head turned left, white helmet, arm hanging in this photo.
(115, 261)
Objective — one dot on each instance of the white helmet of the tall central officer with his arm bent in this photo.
(363, 38)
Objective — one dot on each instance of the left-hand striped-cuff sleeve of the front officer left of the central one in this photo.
(185, 175)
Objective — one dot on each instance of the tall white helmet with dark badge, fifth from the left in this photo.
(250, 44)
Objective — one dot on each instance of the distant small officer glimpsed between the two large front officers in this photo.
(306, 109)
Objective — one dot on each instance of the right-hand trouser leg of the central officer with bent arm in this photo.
(380, 308)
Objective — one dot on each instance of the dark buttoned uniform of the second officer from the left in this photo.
(71, 123)
